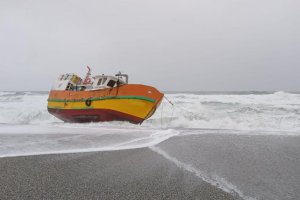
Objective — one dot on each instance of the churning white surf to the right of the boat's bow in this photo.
(268, 112)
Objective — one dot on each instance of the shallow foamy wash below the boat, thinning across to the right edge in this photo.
(35, 139)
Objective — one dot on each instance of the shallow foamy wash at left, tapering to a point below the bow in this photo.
(19, 141)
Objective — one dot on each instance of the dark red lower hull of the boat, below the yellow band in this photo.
(93, 115)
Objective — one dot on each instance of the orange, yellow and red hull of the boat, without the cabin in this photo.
(133, 103)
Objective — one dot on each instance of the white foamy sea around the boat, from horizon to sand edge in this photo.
(25, 114)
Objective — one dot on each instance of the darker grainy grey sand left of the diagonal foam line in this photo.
(127, 174)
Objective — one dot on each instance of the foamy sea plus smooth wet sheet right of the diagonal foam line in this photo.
(244, 143)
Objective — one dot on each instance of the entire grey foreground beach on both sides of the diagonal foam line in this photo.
(193, 166)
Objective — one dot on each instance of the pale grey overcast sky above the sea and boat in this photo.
(200, 45)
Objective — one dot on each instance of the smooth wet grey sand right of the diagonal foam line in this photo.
(254, 166)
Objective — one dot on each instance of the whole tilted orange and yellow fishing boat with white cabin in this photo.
(102, 98)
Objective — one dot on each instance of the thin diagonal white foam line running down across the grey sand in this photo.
(214, 180)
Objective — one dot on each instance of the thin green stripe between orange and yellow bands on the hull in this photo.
(103, 98)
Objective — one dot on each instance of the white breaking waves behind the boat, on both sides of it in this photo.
(279, 111)
